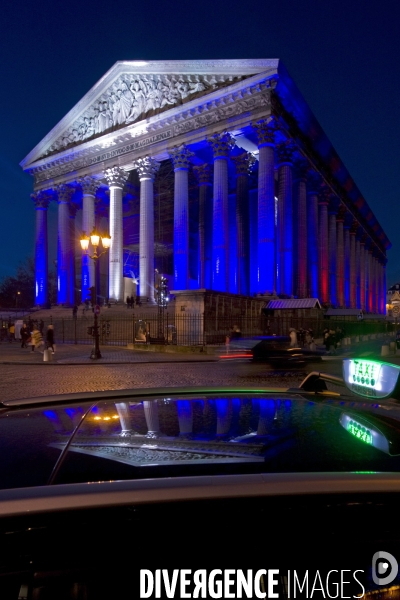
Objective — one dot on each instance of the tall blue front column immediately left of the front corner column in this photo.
(222, 144)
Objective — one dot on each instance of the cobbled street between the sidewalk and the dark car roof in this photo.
(25, 374)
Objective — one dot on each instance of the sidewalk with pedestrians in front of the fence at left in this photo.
(74, 354)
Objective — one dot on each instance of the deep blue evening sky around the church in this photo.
(344, 56)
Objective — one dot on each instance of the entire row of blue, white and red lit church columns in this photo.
(297, 240)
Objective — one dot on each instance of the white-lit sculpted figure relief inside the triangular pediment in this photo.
(134, 97)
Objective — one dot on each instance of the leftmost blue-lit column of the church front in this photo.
(41, 201)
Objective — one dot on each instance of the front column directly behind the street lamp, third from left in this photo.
(89, 186)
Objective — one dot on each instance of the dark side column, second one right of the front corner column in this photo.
(300, 236)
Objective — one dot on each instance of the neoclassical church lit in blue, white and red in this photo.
(214, 173)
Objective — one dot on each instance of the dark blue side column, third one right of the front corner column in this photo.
(313, 184)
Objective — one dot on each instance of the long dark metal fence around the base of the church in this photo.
(195, 329)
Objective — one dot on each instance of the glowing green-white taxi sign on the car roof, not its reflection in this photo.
(370, 378)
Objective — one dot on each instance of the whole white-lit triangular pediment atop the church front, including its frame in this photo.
(133, 91)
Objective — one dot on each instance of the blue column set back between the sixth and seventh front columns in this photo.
(203, 174)
